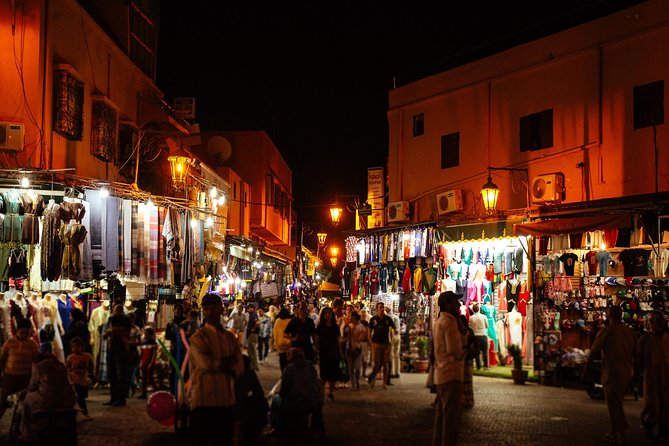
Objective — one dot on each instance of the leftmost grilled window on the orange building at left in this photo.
(68, 103)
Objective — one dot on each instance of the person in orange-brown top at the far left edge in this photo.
(16, 361)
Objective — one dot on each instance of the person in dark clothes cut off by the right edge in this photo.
(652, 362)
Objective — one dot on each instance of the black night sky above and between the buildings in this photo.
(315, 75)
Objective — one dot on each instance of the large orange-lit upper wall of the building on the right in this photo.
(586, 75)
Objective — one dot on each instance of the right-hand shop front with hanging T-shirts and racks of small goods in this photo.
(584, 265)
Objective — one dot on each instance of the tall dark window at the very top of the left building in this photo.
(142, 40)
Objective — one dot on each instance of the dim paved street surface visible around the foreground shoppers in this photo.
(505, 414)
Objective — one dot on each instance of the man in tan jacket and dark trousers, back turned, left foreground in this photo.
(215, 364)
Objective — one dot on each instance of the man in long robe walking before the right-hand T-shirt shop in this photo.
(616, 341)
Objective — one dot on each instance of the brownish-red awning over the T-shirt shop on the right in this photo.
(572, 225)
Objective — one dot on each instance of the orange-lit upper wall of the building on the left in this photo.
(73, 38)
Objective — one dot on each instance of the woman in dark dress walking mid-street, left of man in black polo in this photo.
(329, 350)
